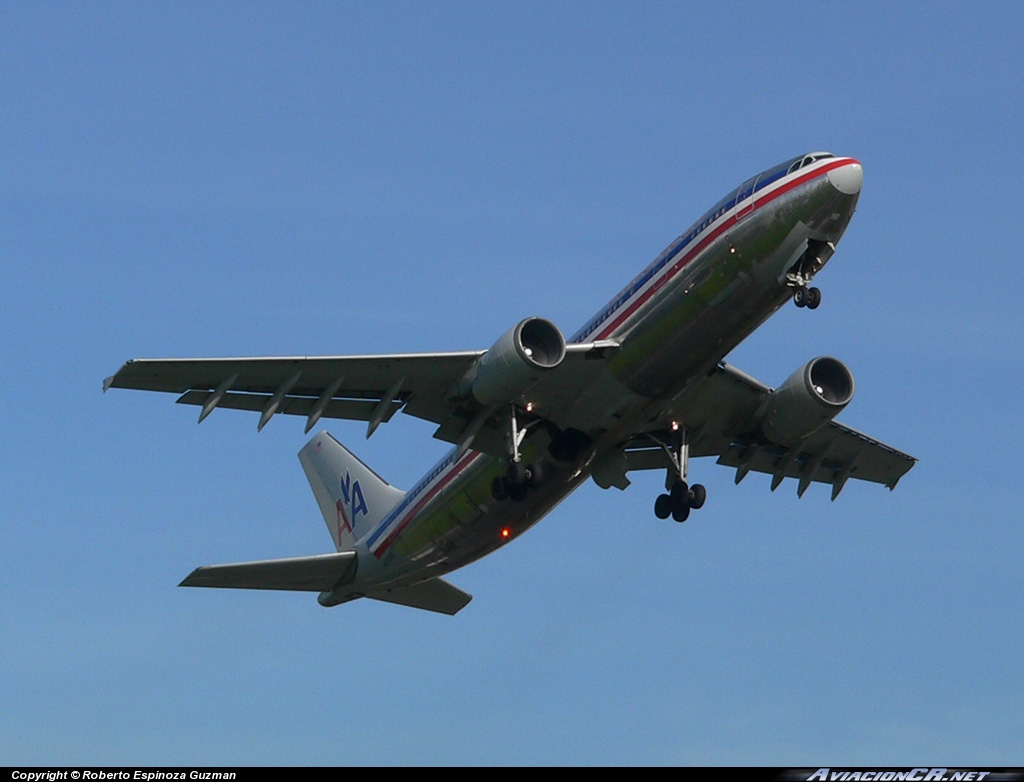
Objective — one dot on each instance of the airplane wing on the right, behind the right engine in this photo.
(720, 411)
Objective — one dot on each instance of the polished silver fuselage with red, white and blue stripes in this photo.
(708, 292)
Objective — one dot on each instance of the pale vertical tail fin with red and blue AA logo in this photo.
(352, 497)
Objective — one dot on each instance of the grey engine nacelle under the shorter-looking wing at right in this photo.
(812, 398)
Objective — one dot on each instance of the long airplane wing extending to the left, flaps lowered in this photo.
(370, 388)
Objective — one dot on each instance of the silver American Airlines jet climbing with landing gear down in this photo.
(641, 386)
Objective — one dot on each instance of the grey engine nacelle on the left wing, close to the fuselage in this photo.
(518, 361)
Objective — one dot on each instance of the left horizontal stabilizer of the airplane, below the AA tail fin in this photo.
(321, 573)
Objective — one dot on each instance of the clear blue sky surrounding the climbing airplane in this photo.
(194, 180)
